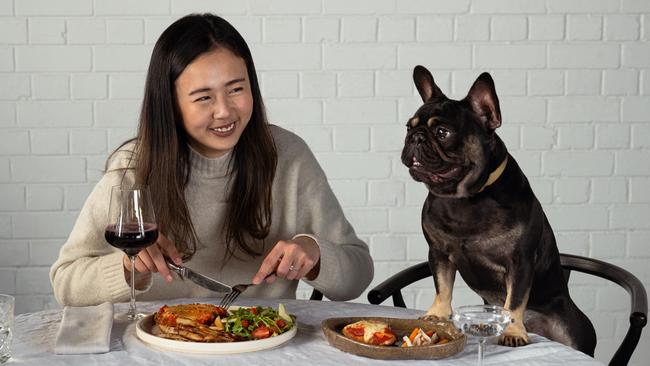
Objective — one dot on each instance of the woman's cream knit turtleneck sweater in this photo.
(89, 271)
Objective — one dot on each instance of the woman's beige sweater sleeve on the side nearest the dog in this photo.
(346, 267)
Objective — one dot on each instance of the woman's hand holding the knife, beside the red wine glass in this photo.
(151, 258)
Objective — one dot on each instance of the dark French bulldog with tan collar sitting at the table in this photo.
(482, 218)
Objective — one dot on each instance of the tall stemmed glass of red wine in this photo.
(131, 228)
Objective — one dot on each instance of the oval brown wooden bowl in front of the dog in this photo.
(332, 329)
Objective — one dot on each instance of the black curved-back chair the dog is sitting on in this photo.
(639, 302)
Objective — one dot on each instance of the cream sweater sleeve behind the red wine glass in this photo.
(88, 270)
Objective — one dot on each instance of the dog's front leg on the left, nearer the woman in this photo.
(444, 275)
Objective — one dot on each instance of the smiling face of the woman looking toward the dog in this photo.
(215, 100)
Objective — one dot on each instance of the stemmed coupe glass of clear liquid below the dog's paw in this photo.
(481, 321)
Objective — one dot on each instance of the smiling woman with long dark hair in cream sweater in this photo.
(235, 197)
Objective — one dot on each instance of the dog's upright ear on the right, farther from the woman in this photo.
(483, 99)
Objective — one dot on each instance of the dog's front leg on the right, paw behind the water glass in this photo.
(517, 293)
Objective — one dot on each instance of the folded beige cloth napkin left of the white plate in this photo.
(85, 329)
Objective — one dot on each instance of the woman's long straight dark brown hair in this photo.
(162, 152)
